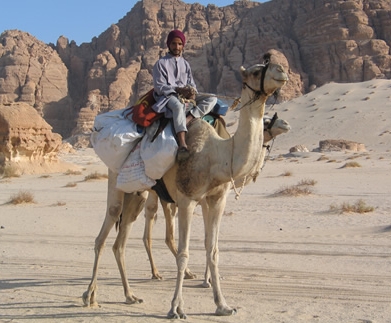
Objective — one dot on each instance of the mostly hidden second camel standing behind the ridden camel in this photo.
(273, 127)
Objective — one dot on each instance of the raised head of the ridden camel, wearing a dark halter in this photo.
(264, 78)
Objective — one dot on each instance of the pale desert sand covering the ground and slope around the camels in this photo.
(282, 258)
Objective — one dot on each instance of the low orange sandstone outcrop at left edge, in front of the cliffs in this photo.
(25, 137)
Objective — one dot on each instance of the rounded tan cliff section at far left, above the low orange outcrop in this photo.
(33, 72)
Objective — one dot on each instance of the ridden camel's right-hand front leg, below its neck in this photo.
(215, 208)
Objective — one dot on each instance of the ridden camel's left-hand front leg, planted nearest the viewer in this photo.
(185, 212)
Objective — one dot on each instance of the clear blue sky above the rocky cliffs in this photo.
(78, 20)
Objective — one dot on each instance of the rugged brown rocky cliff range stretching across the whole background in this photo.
(320, 40)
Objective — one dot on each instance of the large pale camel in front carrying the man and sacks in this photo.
(204, 177)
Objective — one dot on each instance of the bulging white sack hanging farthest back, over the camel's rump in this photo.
(113, 138)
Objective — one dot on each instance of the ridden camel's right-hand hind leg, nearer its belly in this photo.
(133, 205)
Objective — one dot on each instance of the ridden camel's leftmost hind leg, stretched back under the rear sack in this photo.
(113, 210)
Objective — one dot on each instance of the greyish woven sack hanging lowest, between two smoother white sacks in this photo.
(131, 177)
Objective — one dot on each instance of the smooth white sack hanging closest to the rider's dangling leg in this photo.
(159, 155)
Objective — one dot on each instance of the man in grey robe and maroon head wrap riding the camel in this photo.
(172, 77)
